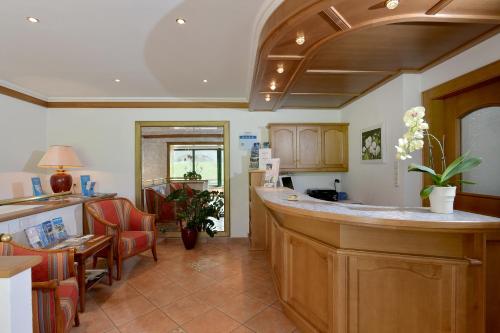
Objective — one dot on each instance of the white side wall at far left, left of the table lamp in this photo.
(22, 144)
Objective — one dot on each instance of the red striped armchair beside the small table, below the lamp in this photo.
(133, 231)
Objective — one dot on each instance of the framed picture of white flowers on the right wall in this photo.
(372, 144)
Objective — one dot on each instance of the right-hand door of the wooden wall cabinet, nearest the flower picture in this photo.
(334, 147)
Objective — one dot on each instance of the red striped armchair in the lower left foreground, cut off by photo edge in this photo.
(54, 288)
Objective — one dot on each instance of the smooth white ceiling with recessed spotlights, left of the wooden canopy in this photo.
(79, 47)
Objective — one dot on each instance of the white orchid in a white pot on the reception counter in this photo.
(442, 192)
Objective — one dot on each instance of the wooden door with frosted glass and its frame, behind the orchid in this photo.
(465, 113)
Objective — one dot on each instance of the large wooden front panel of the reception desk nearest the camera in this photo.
(378, 293)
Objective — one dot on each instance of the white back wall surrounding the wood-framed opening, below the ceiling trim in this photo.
(104, 140)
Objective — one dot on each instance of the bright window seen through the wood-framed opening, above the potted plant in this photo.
(207, 160)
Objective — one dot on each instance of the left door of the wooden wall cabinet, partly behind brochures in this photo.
(283, 143)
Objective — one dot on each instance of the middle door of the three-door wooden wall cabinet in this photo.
(308, 147)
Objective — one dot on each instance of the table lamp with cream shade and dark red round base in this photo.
(60, 158)
